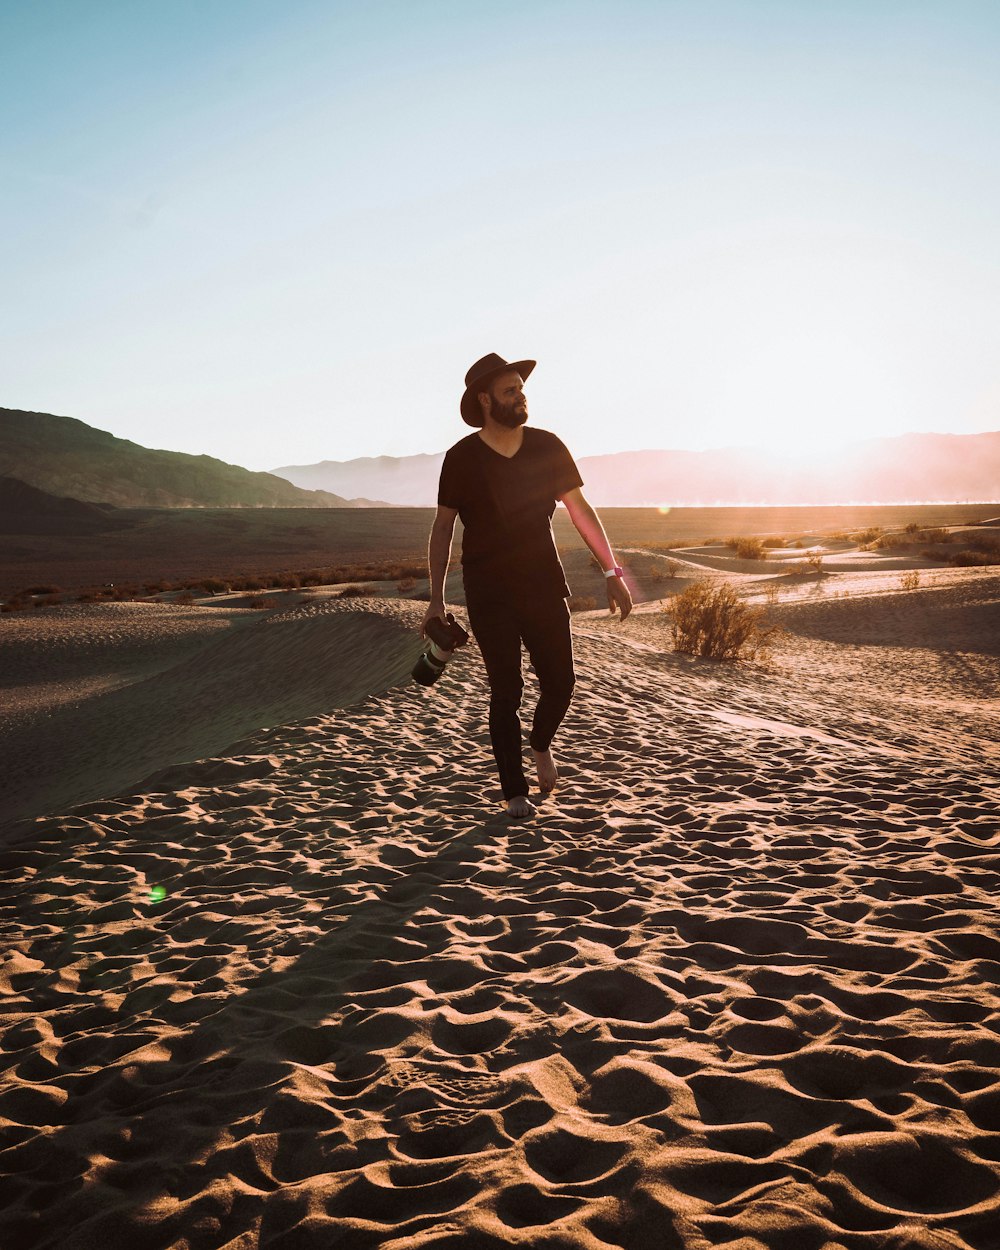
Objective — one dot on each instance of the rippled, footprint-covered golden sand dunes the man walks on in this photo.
(287, 977)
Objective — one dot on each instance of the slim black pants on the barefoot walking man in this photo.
(543, 624)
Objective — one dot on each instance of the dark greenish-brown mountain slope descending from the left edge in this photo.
(68, 458)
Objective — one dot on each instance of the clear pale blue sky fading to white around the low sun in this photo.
(281, 233)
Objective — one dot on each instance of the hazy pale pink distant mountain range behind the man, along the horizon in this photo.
(936, 468)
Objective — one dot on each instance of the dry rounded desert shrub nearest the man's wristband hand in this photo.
(714, 623)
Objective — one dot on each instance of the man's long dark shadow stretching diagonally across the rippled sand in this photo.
(193, 1098)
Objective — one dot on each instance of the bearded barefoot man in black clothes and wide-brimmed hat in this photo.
(504, 483)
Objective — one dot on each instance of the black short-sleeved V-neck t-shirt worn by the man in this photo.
(507, 506)
